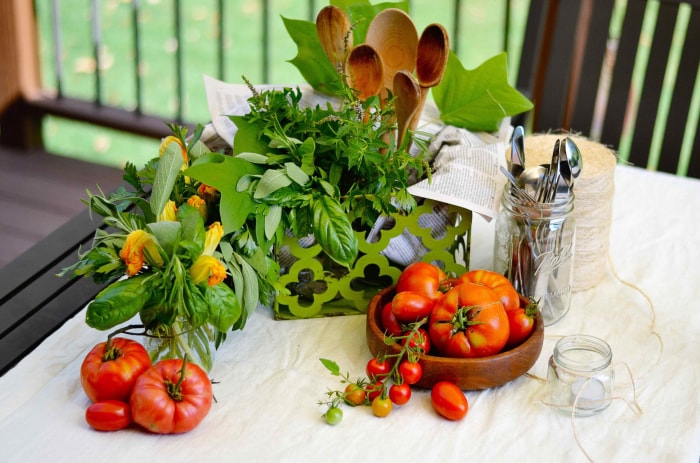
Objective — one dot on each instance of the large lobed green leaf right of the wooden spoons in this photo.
(478, 100)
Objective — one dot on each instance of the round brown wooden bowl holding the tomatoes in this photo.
(468, 374)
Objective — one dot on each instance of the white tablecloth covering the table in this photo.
(269, 378)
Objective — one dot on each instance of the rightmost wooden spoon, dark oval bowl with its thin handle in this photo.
(433, 53)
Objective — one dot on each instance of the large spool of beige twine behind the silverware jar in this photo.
(592, 203)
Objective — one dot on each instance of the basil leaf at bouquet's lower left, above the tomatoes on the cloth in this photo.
(118, 303)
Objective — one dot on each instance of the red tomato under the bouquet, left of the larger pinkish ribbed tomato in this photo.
(109, 373)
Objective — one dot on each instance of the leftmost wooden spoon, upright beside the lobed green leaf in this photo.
(335, 34)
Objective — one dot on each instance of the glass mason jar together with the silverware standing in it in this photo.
(536, 230)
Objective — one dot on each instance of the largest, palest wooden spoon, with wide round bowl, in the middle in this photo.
(393, 34)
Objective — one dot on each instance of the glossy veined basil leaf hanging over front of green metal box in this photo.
(333, 231)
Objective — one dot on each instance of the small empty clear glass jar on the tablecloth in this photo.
(581, 374)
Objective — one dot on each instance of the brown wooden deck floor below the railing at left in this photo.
(39, 192)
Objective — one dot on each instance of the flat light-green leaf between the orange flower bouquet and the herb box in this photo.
(223, 174)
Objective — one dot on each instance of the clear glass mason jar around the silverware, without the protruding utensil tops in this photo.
(534, 249)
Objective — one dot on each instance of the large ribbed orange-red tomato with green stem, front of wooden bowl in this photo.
(469, 321)
